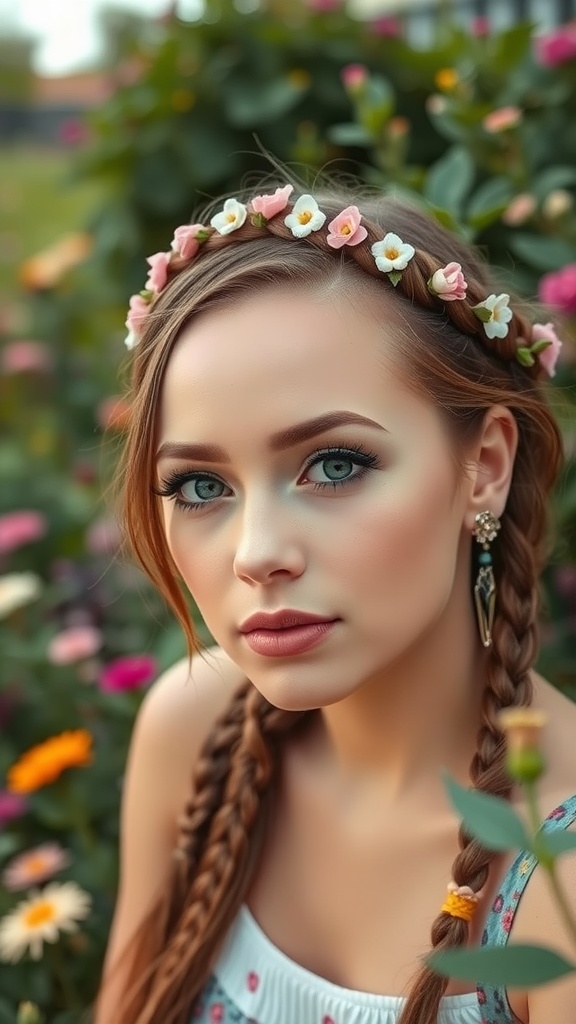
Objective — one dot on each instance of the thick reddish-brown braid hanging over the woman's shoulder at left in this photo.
(222, 832)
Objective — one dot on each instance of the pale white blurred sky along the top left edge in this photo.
(67, 30)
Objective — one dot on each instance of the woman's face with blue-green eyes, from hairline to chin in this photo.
(305, 484)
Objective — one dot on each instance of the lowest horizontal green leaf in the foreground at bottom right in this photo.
(514, 966)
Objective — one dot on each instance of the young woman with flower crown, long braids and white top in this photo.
(341, 447)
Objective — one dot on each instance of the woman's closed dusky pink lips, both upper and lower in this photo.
(284, 634)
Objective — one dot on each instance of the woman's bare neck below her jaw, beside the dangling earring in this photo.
(419, 718)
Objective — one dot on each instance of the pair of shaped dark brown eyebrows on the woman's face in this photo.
(280, 441)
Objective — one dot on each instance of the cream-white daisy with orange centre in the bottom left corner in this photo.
(40, 919)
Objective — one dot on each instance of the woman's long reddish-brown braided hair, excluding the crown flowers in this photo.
(445, 355)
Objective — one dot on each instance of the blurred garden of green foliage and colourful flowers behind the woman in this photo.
(479, 122)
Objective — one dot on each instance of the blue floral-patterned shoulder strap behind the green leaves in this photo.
(493, 1002)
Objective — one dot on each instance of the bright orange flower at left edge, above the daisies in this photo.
(45, 763)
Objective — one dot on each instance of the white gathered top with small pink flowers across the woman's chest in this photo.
(267, 987)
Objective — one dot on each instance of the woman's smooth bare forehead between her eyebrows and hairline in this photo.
(278, 358)
